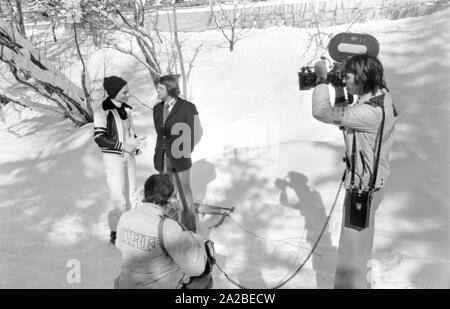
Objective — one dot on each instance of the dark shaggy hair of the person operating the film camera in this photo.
(368, 72)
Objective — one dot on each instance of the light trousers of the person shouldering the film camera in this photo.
(355, 251)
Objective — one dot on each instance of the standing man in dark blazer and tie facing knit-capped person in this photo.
(178, 130)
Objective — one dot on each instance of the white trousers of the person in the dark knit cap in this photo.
(121, 179)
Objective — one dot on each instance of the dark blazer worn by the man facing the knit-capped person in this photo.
(183, 112)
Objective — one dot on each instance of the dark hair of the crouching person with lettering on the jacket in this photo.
(158, 189)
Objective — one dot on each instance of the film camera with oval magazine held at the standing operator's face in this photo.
(341, 46)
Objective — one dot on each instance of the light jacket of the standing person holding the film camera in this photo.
(362, 119)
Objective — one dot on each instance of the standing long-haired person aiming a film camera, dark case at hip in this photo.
(360, 122)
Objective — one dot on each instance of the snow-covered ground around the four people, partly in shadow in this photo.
(53, 193)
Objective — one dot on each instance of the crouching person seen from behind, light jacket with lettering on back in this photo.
(146, 264)
